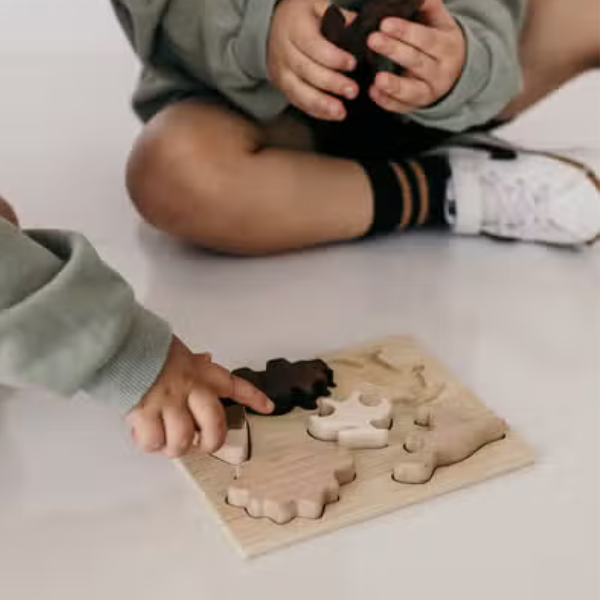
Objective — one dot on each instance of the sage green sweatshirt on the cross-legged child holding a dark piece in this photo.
(218, 49)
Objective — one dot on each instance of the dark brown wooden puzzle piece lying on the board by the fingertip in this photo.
(290, 384)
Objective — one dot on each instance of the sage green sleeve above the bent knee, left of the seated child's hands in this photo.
(191, 46)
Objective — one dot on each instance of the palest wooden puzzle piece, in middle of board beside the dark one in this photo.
(352, 423)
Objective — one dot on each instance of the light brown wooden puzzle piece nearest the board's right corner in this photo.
(453, 435)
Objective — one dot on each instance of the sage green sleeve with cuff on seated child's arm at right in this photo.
(492, 76)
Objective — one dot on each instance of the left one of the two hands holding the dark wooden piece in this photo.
(304, 65)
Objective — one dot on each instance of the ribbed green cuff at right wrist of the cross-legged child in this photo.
(453, 112)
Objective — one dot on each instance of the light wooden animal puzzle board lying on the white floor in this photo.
(288, 489)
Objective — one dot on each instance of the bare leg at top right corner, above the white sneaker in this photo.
(560, 40)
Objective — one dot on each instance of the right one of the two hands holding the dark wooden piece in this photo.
(433, 53)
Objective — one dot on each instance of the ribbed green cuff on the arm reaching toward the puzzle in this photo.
(126, 378)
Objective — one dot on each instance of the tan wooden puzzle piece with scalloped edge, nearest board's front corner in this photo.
(296, 483)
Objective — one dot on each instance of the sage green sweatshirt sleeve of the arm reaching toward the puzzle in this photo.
(70, 323)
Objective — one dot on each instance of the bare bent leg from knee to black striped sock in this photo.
(205, 174)
